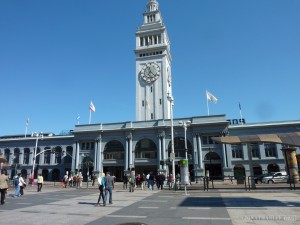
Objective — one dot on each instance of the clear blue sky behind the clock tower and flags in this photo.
(57, 56)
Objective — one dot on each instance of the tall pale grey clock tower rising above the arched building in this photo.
(153, 67)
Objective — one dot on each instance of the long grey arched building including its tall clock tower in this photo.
(145, 144)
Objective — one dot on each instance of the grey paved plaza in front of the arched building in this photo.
(56, 205)
